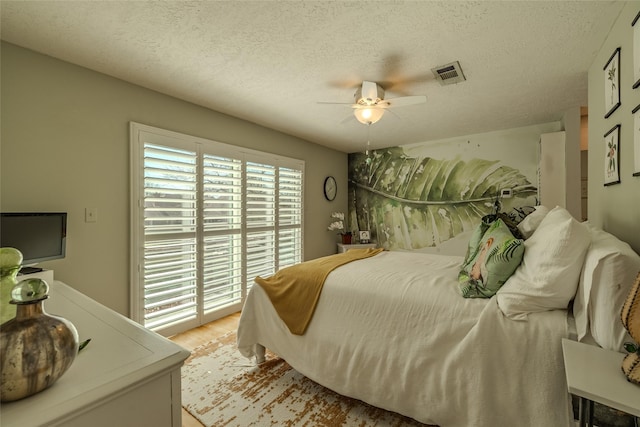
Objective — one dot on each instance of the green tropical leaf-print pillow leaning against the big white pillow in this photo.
(490, 260)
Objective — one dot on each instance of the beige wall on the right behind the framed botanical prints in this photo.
(615, 208)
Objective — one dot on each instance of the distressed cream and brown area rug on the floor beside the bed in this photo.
(220, 387)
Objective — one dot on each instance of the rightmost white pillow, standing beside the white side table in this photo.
(610, 269)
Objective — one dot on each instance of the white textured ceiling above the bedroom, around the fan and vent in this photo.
(526, 62)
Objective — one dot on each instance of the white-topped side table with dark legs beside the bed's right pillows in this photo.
(595, 375)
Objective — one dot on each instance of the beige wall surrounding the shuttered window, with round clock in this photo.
(65, 147)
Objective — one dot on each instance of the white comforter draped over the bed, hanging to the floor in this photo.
(394, 331)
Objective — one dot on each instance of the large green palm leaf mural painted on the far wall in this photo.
(416, 202)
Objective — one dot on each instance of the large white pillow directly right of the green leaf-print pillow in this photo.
(547, 278)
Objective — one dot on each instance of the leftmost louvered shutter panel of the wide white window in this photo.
(169, 268)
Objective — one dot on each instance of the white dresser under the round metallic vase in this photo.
(127, 376)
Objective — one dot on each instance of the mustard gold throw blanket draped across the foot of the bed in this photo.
(294, 291)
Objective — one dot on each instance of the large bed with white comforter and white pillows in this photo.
(394, 331)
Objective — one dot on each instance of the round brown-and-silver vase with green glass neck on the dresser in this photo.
(35, 348)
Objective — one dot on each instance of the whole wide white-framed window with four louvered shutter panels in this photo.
(207, 218)
